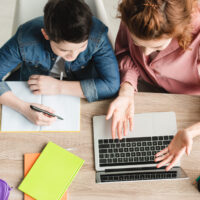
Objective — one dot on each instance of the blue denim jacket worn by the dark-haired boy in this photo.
(29, 48)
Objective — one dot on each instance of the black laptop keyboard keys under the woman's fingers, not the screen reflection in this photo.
(131, 151)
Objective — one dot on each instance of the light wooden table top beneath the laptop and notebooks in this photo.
(187, 108)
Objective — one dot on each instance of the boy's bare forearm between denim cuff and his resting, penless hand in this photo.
(71, 88)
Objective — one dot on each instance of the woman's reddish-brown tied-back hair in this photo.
(153, 19)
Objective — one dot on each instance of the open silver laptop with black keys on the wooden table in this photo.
(132, 158)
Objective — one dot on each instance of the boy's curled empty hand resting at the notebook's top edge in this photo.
(40, 84)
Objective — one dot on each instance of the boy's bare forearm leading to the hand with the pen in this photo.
(10, 100)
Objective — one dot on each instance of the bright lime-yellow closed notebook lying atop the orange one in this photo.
(51, 174)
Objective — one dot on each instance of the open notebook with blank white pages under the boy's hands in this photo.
(67, 107)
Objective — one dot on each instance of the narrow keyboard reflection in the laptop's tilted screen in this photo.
(138, 176)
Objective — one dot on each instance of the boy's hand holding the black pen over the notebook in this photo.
(38, 118)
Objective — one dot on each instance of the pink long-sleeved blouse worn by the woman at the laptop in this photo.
(173, 69)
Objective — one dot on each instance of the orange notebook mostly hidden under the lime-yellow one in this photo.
(29, 160)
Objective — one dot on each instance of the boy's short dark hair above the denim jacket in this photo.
(67, 20)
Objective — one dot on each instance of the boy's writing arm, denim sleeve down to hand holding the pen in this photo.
(10, 58)
